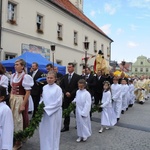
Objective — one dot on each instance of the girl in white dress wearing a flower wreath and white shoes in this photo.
(108, 116)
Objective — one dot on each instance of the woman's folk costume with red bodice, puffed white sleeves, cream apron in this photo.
(19, 85)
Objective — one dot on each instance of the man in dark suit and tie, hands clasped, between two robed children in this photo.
(69, 85)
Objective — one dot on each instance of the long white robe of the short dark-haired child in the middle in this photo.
(83, 107)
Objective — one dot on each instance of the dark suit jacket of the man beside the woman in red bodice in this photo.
(37, 88)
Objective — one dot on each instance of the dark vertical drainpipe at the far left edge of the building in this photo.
(0, 28)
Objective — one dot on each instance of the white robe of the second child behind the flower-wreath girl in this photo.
(125, 96)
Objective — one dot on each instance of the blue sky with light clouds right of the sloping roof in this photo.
(127, 22)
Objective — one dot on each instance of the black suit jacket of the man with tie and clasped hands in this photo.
(71, 87)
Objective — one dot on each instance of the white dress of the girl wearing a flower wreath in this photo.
(108, 116)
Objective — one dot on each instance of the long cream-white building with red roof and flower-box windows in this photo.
(35, 25)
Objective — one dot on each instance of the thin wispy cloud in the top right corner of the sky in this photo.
(139, 3)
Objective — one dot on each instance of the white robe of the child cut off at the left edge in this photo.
(6, 127)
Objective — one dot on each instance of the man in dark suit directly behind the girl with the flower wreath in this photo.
(98, 88)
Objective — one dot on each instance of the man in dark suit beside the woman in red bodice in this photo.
(37, 88)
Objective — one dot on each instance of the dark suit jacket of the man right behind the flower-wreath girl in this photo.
(98, 88)
